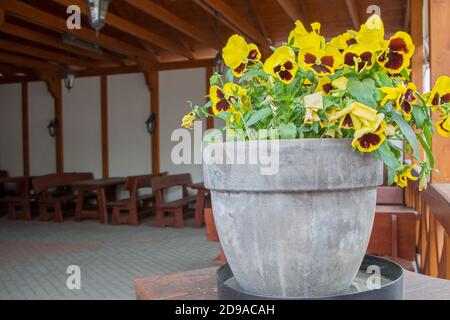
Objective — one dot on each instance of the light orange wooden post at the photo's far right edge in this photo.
(440, 65)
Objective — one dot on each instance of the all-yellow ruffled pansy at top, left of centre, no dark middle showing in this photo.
(300, 38)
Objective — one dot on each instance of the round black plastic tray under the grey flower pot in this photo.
(391, 287)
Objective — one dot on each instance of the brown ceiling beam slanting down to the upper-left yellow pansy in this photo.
(235, 18)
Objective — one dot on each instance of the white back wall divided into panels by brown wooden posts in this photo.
(129, 107)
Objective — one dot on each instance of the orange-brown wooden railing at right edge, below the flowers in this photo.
(433, 245)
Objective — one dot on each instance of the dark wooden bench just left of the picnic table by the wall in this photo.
(54, 193)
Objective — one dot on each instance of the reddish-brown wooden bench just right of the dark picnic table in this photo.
(133, 184)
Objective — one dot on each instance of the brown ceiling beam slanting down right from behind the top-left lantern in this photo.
(135, 30)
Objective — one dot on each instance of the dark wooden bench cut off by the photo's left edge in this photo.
(20, 198)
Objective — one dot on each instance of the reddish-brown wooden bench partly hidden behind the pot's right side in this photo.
(394, 233)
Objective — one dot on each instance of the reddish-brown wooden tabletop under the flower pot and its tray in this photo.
(201, 285)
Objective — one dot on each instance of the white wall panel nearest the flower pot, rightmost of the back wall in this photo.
(177, 87)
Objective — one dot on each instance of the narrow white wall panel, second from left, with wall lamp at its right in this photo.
(41, 108)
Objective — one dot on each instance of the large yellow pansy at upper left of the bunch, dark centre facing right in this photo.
(238, 54)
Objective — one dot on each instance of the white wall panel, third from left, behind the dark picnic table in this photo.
(82, 127)
